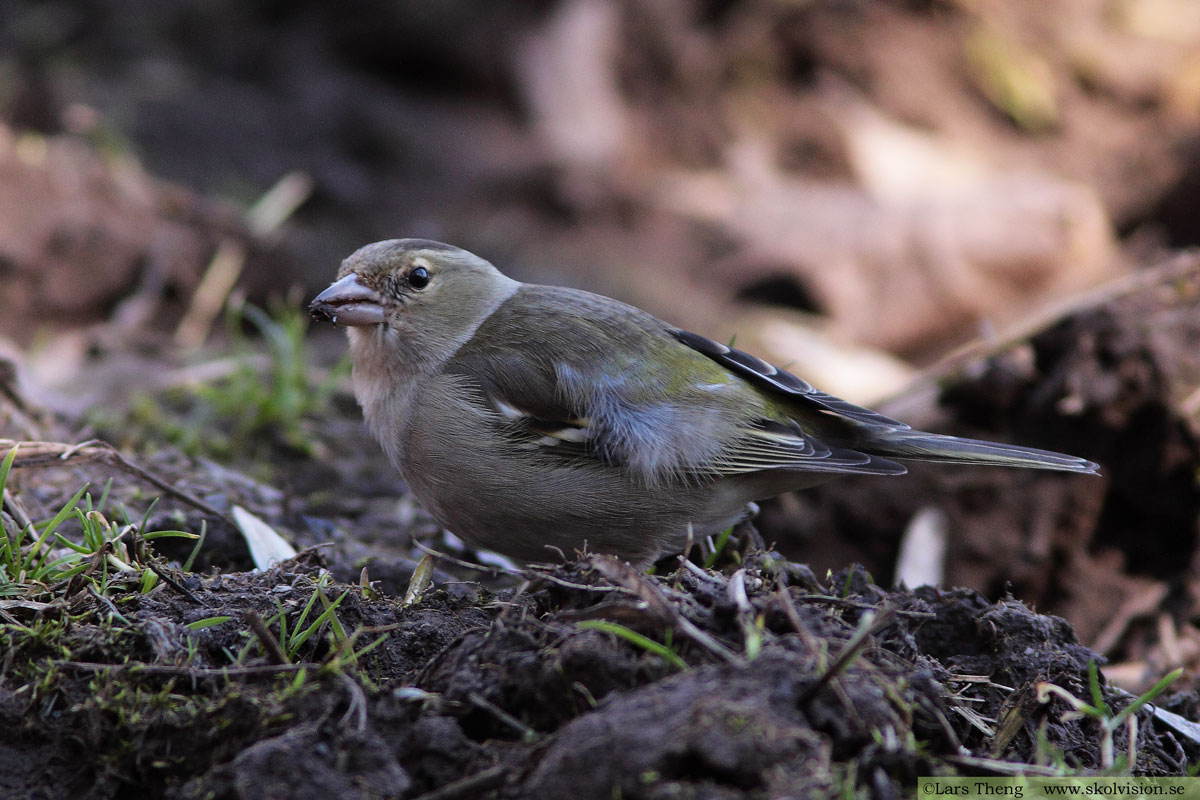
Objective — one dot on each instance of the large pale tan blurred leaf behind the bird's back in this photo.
(903, 269)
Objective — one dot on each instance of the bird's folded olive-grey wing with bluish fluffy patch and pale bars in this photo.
(597, 381)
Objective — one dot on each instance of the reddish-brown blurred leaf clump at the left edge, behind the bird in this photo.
(79, 231)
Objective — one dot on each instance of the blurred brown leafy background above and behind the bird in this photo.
(898, 175)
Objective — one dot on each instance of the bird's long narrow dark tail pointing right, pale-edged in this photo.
(919, 446)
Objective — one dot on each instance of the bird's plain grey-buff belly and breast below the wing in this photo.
(532, 503)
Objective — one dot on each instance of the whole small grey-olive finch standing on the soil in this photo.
(527, 417)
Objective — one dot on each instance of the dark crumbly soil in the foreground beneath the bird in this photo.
(507, 696)
